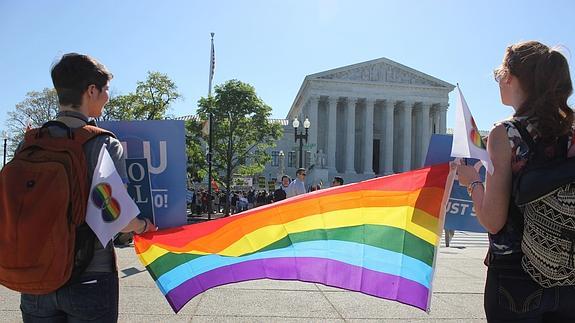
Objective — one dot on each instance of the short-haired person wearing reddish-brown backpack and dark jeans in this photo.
(86, 288)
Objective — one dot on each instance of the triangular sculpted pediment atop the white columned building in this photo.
(381, 70)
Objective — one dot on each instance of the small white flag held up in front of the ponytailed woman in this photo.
(467, 141)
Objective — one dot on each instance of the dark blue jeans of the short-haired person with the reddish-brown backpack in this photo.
(93, 299)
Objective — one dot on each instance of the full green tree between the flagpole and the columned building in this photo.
(241, 133)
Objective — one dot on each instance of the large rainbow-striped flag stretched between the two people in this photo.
(378, 237)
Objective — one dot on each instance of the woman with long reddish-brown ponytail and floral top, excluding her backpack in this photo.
(533, 79)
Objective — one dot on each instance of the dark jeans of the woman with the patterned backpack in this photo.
(512, 296)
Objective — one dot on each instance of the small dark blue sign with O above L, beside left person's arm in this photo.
(139, 186)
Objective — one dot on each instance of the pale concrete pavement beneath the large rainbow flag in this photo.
(457, 296)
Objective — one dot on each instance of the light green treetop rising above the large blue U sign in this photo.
(150, 101)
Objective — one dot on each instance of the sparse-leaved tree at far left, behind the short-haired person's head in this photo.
(37, 108)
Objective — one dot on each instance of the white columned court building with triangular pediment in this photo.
(368, 119)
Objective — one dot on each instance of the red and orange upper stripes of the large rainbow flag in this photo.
(426, 187)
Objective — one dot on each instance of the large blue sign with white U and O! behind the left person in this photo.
(162, 144)
